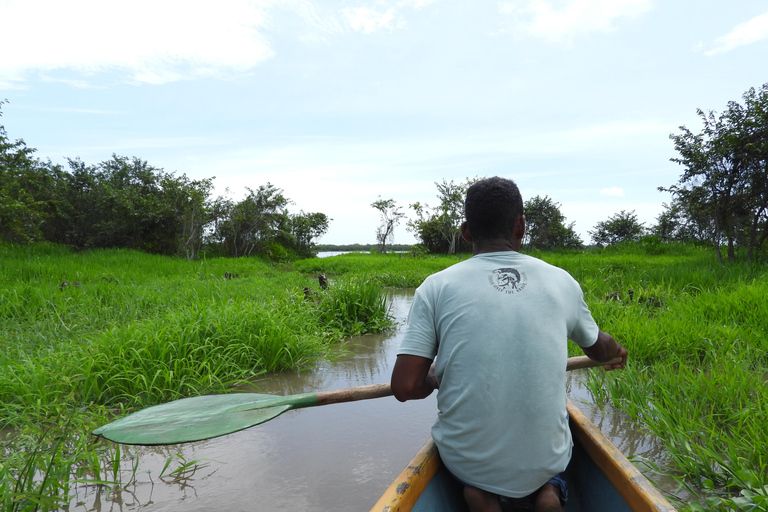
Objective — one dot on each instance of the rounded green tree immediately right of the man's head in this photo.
(545, 226)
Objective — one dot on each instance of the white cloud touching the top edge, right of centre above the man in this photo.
(543, 19)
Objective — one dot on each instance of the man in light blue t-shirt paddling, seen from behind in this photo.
(491, 333)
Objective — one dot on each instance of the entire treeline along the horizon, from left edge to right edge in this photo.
(721, 200)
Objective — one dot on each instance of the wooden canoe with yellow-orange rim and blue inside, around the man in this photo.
(599, 479)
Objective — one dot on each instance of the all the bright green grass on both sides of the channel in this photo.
(139, 329)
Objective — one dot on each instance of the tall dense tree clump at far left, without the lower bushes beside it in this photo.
(120, 202)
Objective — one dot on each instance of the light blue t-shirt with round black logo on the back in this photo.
(498, 325)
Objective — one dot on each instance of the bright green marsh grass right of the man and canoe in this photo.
(697, 334)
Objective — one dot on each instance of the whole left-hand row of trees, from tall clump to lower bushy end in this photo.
(127, 203)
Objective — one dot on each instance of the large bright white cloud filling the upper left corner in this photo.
(150, 42)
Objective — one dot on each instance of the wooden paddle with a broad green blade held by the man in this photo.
(205, 417)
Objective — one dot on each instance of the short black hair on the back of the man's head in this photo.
(492, 206)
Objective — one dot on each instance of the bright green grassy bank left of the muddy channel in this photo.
(87, 335)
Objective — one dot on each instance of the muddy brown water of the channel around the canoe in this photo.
(332, 458)
